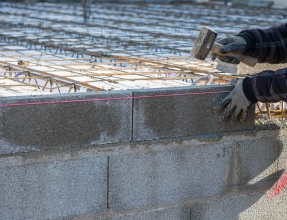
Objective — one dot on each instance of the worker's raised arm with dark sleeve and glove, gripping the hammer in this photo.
(267, 45)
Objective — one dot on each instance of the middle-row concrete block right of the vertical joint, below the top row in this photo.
(157, 178)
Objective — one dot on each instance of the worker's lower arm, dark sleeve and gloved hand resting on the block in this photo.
(266, 86)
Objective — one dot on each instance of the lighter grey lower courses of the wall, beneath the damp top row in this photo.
(163, 179)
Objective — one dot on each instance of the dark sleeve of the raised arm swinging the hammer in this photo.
(267, 45)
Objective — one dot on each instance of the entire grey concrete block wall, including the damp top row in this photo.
(116, 157)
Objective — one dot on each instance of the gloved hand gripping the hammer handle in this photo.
(234, 44)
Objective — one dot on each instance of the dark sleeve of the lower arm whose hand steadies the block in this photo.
(267, 86)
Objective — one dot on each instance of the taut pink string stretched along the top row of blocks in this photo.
(108, 99)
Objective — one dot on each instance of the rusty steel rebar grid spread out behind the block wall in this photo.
(52, 48)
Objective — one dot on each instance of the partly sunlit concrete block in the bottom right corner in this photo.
(255, 206)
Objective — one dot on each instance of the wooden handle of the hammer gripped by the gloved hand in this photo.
(250, 61)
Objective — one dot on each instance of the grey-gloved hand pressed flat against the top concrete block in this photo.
(236, 105)
